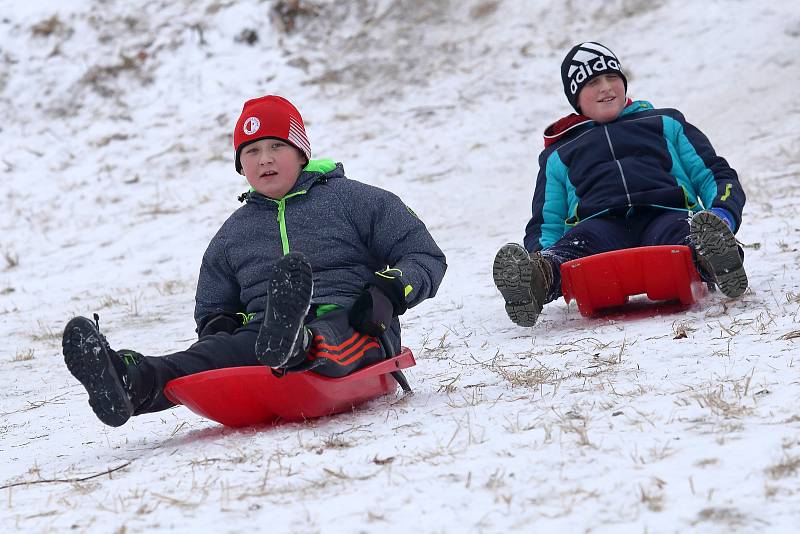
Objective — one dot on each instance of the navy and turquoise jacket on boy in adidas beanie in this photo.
(646, 157)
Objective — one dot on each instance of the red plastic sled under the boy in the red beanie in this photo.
(244, 396)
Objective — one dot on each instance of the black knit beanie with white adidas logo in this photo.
(584, 62)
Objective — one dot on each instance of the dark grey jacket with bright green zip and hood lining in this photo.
(348, 230)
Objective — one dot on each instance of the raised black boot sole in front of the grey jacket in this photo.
(288, 302)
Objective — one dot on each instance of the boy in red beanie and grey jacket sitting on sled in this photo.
(307, 274)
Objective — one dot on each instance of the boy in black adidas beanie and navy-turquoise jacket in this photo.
(620, 174)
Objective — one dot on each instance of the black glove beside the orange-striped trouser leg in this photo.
(381, 300)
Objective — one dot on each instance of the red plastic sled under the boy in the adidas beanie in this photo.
(663, 273)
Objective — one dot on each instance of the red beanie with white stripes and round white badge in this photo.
(269, 117)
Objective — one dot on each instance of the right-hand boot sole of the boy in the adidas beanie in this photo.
(717, 250)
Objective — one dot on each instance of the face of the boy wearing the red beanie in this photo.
(271, 166)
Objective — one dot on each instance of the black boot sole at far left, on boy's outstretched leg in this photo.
(89, 362)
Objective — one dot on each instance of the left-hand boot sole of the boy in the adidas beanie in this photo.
(512, 271)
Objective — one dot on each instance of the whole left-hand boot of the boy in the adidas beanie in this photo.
(525, 281)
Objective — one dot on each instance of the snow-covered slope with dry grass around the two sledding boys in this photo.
(117, 169)
